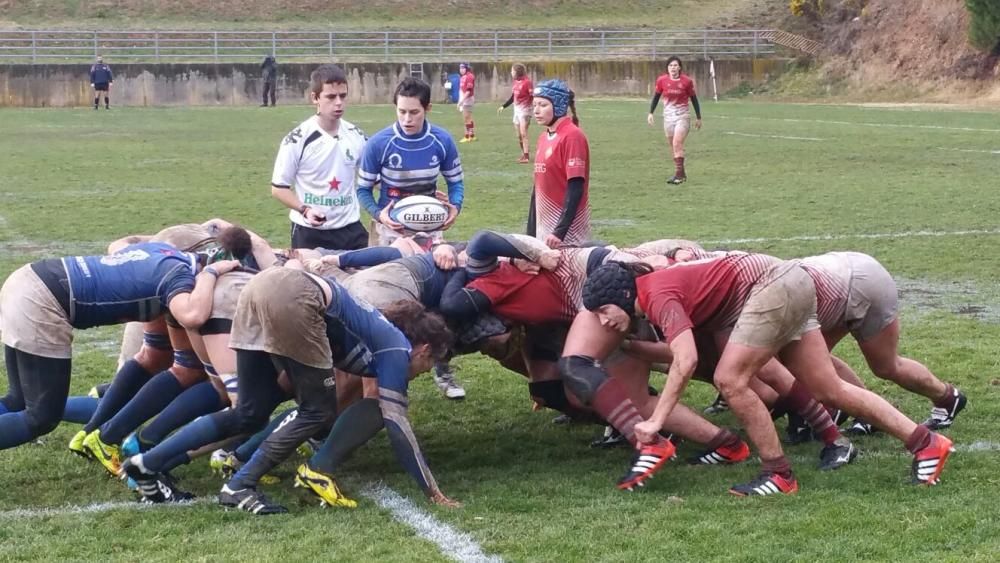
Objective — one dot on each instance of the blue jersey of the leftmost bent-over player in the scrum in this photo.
(134, 284)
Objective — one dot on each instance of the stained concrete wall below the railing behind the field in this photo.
(239, 84)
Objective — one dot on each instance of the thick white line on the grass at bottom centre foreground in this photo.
(455, 545)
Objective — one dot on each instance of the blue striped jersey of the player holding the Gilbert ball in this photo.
(408, 165)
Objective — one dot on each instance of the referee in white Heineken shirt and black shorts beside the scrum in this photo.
(315, 169)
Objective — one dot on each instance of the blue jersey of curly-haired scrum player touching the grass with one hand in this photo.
(364, 342)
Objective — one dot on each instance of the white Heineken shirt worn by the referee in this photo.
(321, 168)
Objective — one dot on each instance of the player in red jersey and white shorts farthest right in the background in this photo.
(677, 88)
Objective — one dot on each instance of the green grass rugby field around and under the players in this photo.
(915, 188)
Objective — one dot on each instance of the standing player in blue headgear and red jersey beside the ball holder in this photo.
(560, 212)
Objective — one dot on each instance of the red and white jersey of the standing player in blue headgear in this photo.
(560, 155)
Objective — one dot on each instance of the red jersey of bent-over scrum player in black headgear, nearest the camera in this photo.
(702, 294)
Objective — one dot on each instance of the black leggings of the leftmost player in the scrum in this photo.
(38, 386)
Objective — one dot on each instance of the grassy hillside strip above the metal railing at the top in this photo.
(380, 14)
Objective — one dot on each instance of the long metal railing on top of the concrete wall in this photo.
(378, 46)
